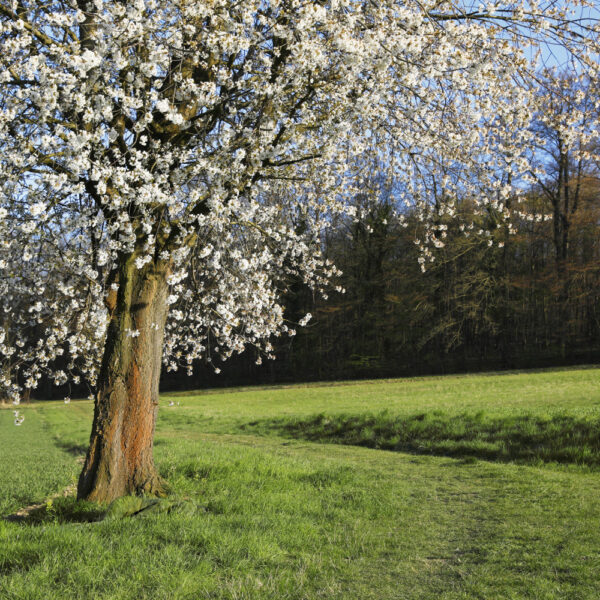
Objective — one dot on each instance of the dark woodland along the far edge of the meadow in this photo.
(490, 301)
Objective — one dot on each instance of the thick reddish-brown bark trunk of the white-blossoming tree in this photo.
(120, 459)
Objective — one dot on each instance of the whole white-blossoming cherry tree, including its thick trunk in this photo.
(167, 166)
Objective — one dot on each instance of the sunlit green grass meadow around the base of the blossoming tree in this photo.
(491, 490)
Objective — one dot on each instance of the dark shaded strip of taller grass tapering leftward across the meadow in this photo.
(523, 439)
